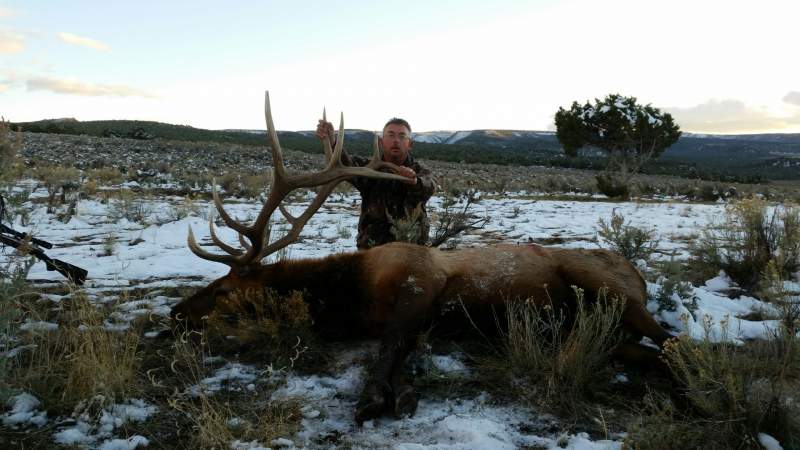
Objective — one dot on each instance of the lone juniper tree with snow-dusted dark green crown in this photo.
(630, 133)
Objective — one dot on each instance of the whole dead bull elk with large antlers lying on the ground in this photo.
(393, 291)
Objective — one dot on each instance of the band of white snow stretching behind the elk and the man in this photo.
(158, 252)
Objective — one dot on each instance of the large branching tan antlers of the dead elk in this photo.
(283, 183)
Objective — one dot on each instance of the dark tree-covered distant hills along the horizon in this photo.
(751, 157)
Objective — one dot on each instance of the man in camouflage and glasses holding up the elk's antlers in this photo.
(386, 204)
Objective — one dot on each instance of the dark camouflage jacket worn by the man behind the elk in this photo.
(392, 210)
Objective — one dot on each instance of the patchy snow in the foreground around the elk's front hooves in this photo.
(464, 423)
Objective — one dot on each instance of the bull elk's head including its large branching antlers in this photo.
(245, 261)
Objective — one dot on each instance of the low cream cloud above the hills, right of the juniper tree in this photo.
(730, 116)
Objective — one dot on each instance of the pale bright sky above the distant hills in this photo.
(716, 66)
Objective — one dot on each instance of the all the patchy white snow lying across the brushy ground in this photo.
(154, 256)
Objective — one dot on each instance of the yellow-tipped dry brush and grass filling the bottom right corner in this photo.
(732, 393)
